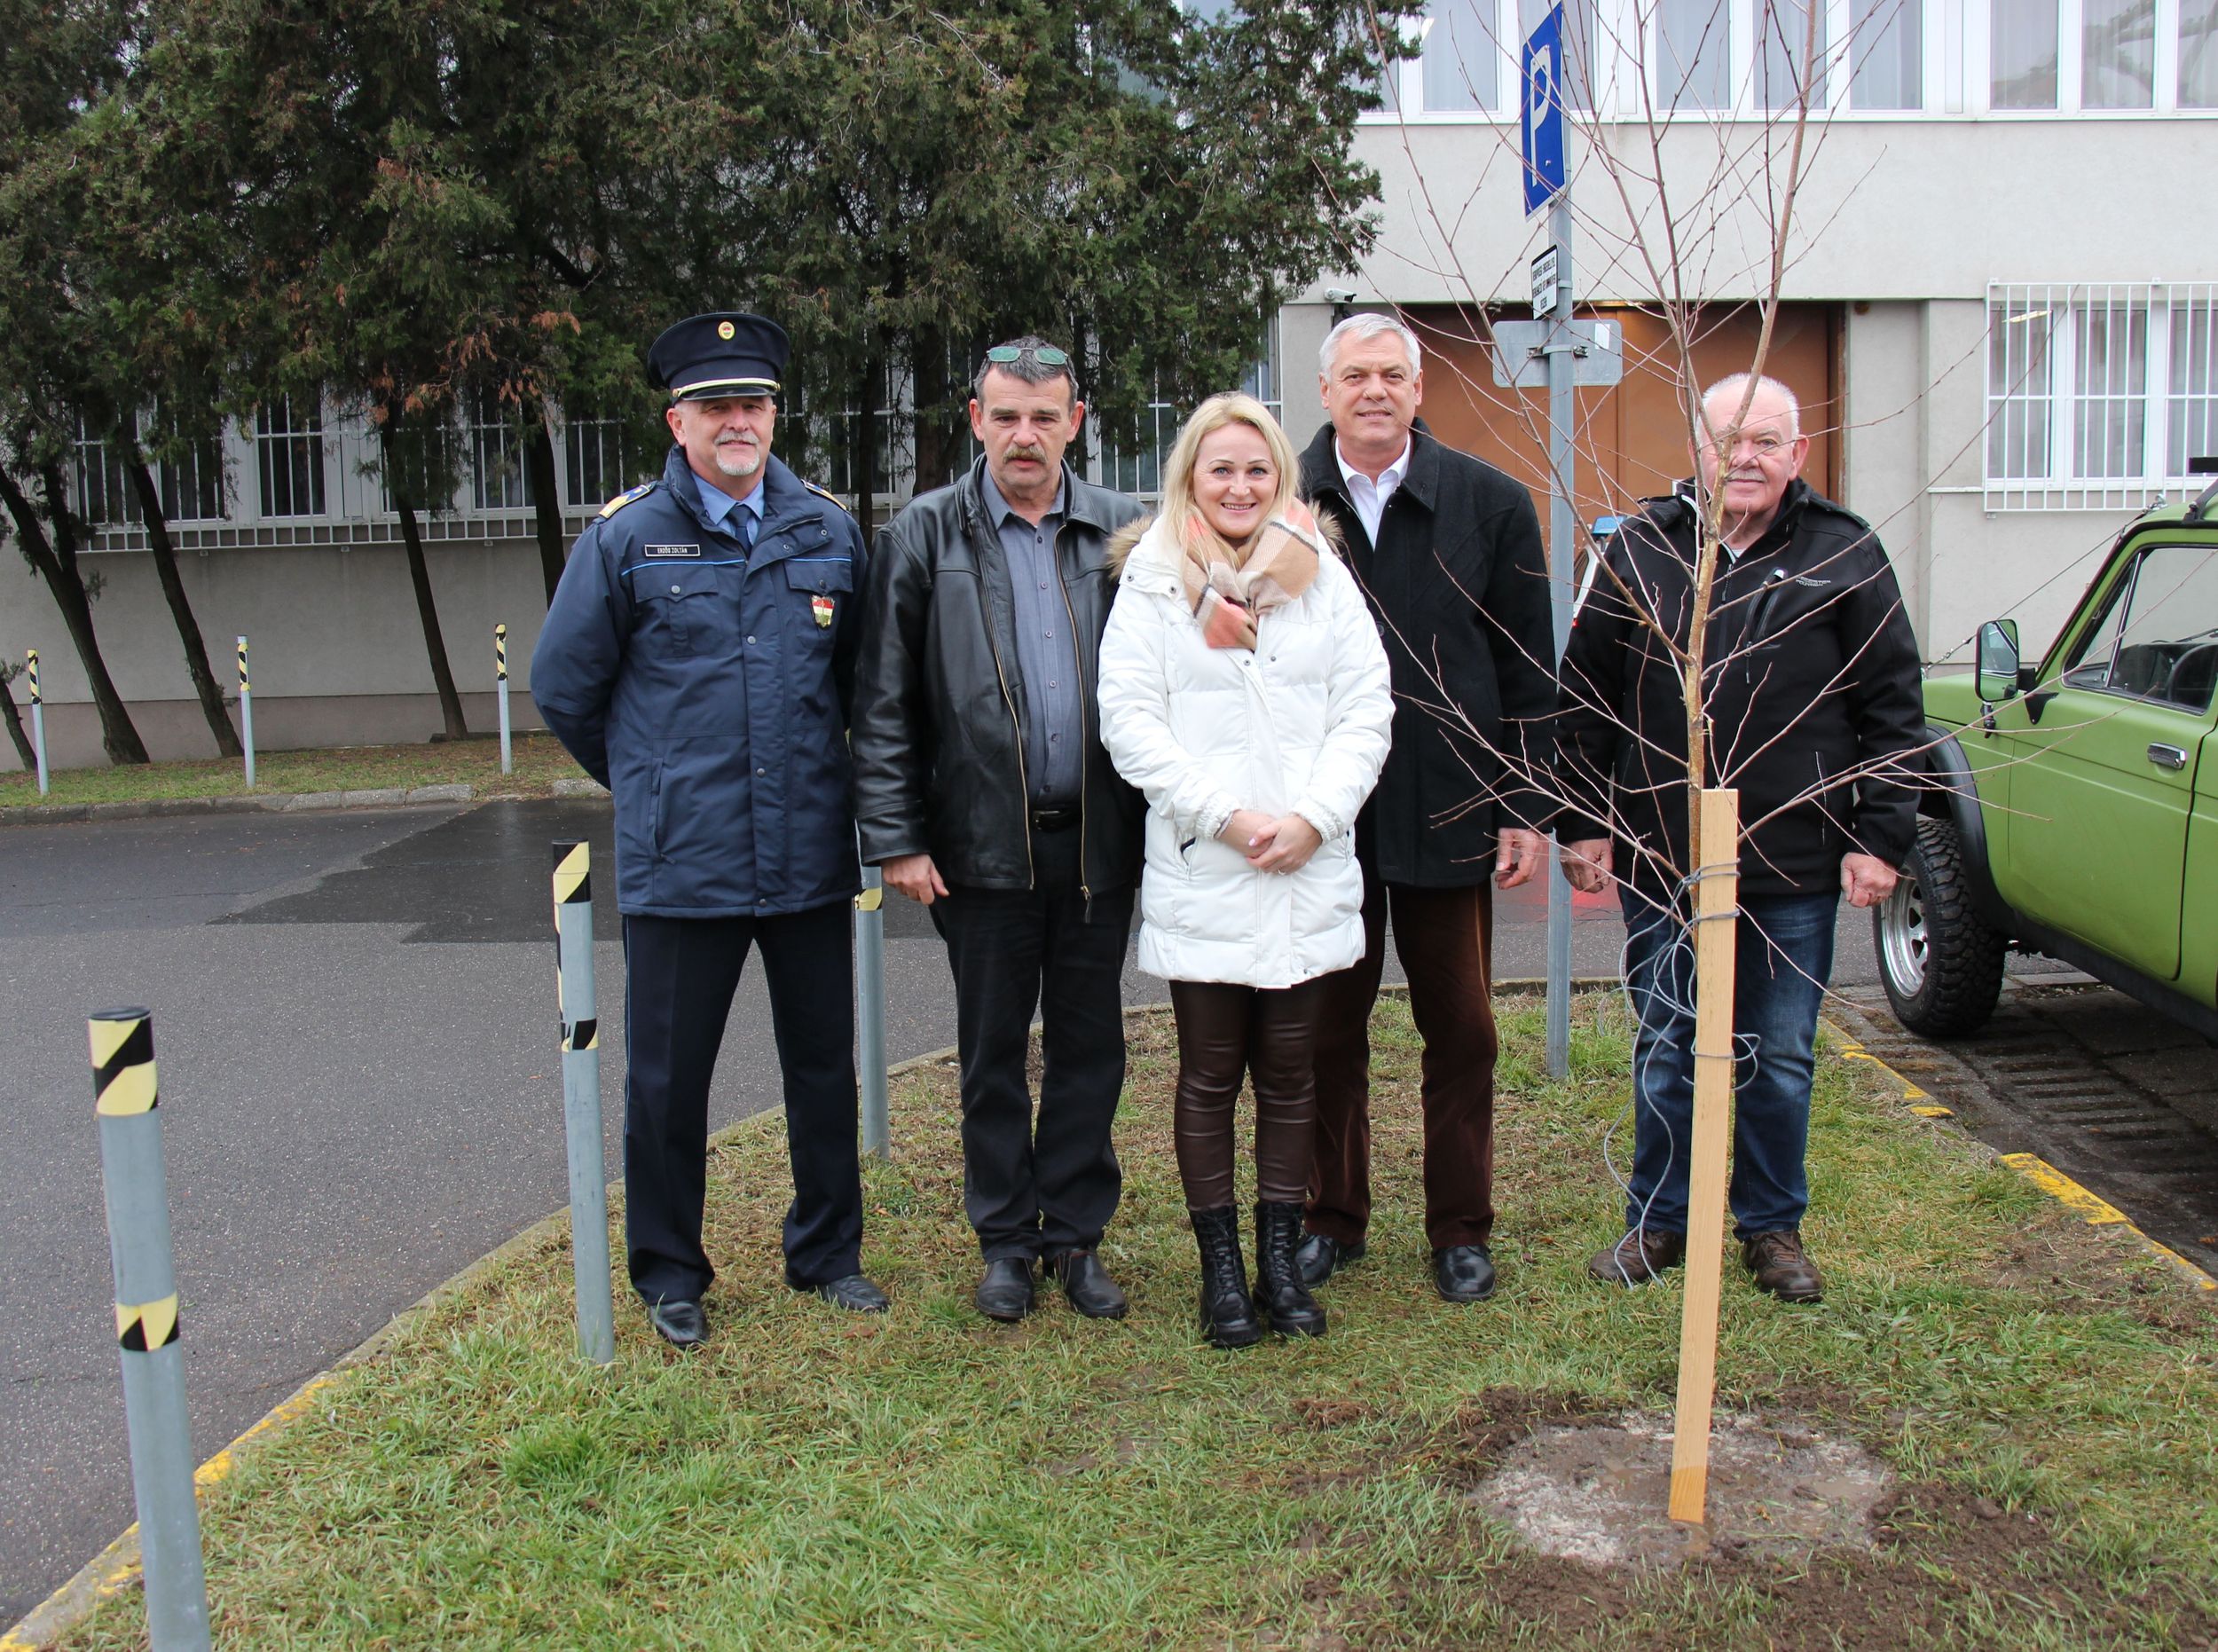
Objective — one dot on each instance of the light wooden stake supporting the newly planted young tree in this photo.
(1718, 877)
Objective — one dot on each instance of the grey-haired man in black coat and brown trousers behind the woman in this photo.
(1449, 555)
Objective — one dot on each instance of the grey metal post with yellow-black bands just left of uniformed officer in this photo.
(582, 1101)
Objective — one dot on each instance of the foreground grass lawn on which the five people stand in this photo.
(928, 1480)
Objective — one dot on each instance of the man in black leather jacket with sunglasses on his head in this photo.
(986, 795)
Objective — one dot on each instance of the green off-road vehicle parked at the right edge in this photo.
(2073, 806)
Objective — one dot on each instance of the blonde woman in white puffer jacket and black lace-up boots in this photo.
(1243, 691)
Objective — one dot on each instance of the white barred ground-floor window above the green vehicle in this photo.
(2062, 489)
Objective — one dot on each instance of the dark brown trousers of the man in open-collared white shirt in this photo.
(1445, 939)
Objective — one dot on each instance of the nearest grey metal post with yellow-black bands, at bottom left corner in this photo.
(132, 1167)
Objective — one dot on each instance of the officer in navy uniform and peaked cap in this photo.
(698, 660)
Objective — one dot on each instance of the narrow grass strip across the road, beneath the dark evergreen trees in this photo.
(352, 768)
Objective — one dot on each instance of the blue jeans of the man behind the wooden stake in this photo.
(1782, 961)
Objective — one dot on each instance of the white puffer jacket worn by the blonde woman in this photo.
(1294, 728)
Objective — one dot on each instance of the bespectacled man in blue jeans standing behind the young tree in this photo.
(1811, 689)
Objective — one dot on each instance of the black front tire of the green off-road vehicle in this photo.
(1940, 961)
